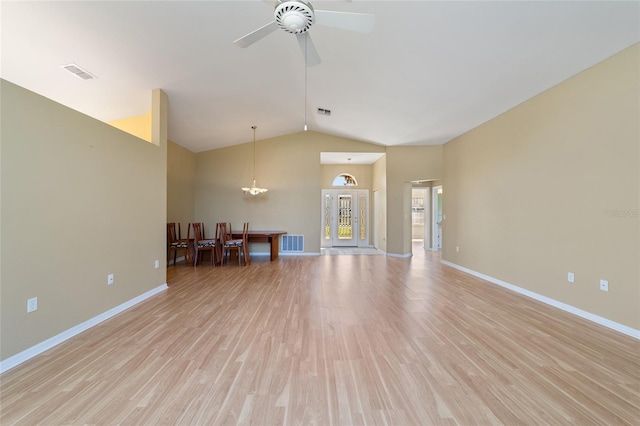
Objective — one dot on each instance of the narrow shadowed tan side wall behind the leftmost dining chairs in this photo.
(181, 176)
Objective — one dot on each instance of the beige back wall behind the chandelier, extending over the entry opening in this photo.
(289, 166)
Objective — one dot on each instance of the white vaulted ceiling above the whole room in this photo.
(429, 71)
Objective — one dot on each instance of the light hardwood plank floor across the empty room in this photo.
(332, 340)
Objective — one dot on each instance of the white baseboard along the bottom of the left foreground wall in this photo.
(43, 346)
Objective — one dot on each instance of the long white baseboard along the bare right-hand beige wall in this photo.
(552, 302)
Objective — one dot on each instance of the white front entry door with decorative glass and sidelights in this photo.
(345, 218)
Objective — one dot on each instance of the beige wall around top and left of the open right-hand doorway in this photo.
(405, 164)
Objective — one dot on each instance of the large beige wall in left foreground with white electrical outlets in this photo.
(80, 200)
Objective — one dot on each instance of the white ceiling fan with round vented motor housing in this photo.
(297, 17)
